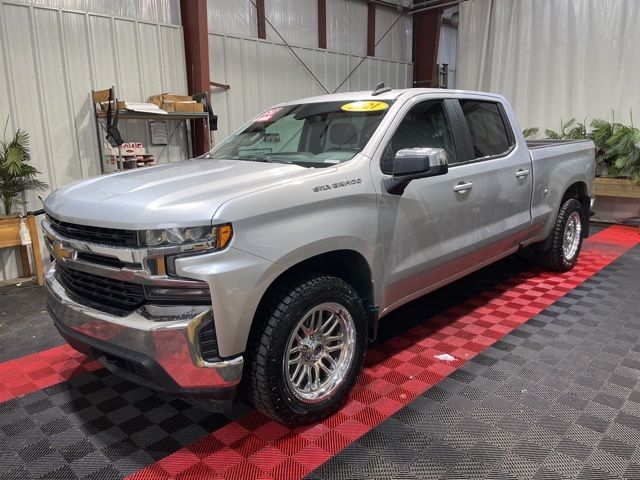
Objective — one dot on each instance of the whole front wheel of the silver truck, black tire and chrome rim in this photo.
(306, 349)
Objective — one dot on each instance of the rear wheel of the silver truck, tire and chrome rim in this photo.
(565, 240)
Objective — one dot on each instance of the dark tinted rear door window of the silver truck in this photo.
(487, 128)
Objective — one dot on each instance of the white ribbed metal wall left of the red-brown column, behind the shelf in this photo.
(53, 53)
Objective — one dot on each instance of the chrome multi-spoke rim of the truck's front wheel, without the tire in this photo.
(319, 352)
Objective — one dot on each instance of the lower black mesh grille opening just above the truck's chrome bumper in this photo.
(113, 296)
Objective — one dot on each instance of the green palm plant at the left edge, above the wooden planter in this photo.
(16, 174)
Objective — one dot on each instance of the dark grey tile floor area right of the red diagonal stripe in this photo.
(563, 399)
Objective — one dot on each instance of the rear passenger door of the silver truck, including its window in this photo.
(502, 178)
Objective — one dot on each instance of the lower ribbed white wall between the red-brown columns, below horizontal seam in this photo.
(262, 73)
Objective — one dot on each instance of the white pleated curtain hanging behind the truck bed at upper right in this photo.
(553, 59)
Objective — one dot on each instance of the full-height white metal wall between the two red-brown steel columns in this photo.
(262, 73)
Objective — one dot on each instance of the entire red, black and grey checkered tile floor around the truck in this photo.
(544, 385)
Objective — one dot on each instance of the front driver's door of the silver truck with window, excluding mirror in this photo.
(429, 231)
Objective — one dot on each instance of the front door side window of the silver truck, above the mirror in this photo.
(425, 125)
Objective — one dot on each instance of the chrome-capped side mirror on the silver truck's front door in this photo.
(413, 163)
